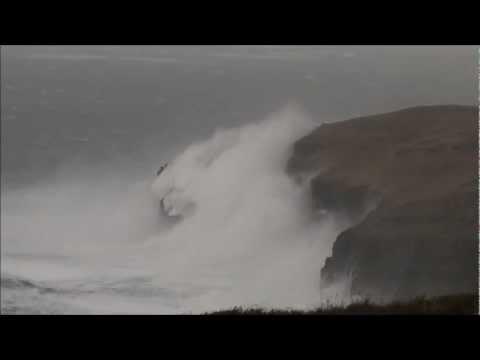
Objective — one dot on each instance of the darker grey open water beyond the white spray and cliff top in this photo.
(134, 102)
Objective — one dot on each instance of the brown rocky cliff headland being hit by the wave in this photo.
(419, 168)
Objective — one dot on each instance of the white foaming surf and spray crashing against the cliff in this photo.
(98, 244)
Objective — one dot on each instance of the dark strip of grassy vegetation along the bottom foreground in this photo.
(466, 304)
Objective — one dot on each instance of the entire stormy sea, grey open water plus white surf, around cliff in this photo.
(84, 129)
